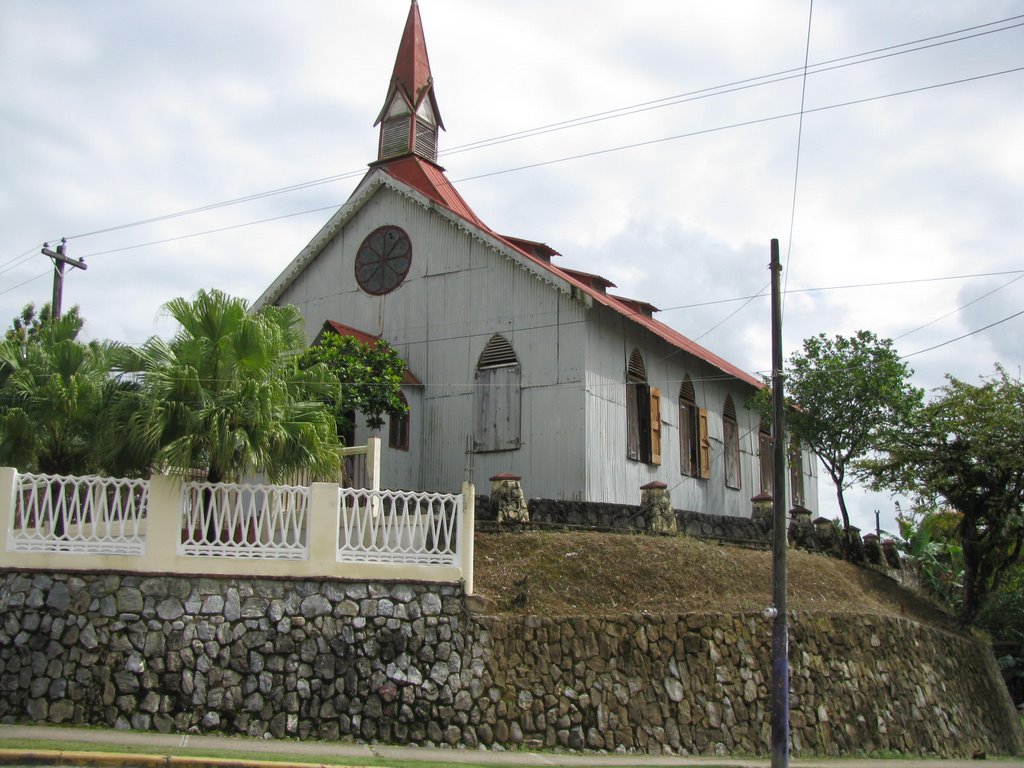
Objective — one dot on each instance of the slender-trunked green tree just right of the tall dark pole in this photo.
(846, 395)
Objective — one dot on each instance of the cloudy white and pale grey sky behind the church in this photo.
(659, 144)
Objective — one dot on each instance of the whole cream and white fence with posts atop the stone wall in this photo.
(166, 525)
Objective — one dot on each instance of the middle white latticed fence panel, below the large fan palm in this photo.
(255, 522)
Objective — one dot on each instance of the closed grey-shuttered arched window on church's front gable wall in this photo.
(498, 401)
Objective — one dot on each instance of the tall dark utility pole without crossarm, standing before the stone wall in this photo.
(781, 629)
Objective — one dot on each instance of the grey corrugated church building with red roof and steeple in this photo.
(517, 365)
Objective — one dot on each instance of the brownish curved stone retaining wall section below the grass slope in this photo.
(699, 685)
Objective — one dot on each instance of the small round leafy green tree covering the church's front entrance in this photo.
(370, 378)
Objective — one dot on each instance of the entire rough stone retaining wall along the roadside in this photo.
(407, 663)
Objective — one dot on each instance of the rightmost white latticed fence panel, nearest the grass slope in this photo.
(399, 527)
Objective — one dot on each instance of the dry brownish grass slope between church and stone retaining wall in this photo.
(595, 574)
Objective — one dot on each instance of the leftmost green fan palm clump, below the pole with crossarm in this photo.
(55, 393)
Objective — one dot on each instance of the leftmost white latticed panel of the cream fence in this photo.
(95, 516)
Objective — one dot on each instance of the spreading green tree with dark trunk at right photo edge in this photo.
(965, 451)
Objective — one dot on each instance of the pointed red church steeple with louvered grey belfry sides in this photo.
(410, 120)
